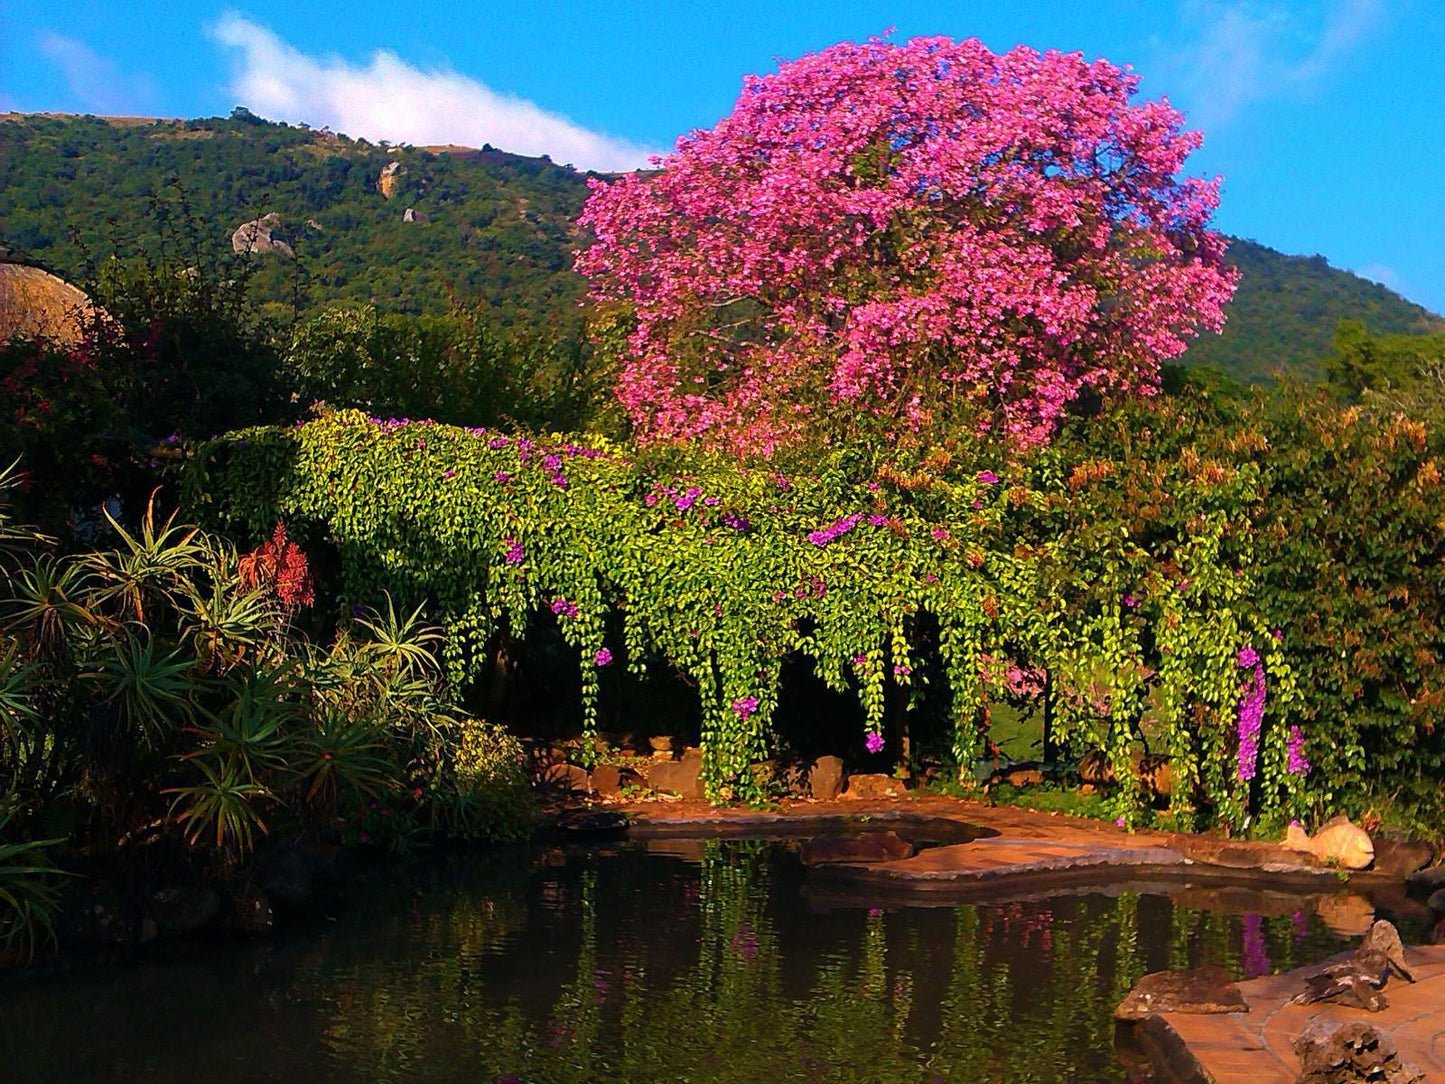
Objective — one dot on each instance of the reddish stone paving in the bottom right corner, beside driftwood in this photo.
(1258, 1047)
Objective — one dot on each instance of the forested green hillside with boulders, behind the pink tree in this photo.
(485, 226)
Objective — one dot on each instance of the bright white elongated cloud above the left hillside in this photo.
(389, 99)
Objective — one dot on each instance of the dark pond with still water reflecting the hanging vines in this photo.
(680, 960)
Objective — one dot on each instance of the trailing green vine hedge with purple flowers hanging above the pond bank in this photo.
(959, 569)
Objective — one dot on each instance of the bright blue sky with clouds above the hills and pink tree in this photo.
(1327, 118)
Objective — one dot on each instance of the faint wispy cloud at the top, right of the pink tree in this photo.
(1248, 51)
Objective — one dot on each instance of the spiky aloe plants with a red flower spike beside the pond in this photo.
(165, 693)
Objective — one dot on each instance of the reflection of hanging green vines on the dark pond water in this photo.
(741, 988)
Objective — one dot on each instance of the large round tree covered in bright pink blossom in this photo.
(923, 232)
